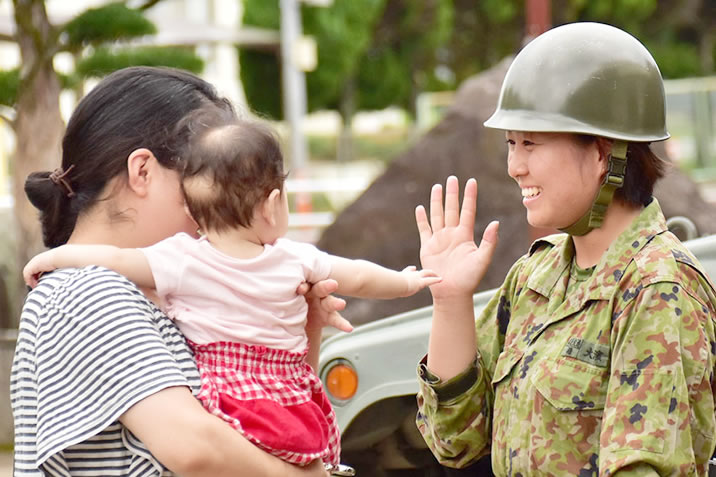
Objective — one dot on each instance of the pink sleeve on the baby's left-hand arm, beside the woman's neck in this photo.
(166, 260)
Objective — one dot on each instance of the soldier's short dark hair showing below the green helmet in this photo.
(644, 168)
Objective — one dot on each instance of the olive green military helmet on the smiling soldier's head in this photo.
(587, 78)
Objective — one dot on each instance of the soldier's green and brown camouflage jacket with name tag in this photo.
(616, 378)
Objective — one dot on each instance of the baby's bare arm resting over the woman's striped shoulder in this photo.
(129, 262)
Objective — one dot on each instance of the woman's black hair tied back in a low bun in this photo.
(132, 108)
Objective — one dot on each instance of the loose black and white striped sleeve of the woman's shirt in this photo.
(99, 349)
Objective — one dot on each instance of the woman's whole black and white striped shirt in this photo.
(90, 345)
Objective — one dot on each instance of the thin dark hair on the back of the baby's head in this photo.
(230, 167)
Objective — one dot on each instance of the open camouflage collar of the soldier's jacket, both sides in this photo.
(607, 273)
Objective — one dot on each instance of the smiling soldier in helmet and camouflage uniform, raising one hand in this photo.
(596, 355)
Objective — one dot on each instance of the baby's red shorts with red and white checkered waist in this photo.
(272, 397)
